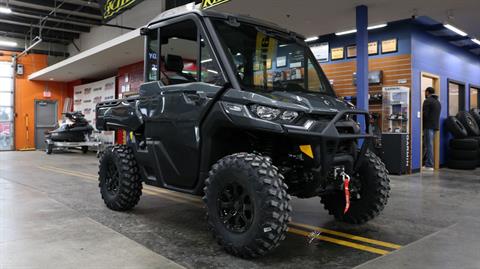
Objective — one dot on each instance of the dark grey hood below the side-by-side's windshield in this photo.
(312, 102)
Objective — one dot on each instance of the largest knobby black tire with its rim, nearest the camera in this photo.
(265, 213)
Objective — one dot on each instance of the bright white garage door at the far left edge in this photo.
(6, 106)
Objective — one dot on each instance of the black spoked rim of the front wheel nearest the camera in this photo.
(236, 208)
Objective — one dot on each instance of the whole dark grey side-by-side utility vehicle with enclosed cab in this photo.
(239, 111)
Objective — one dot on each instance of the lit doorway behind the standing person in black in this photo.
(429, 80)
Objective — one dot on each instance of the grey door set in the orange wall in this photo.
(45, 120)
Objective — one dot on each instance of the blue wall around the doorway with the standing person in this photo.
(434, 55)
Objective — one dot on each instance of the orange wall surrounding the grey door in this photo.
(26, 92)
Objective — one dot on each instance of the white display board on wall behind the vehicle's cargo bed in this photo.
(87, 96)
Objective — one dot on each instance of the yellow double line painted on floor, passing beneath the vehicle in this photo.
(177, 197)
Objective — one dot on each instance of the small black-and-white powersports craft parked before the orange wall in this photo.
(75, 130)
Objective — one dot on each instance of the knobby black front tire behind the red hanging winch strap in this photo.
(375, 191)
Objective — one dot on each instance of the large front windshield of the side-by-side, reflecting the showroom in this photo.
(269, 60)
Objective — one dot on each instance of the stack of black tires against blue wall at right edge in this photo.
(464, 148)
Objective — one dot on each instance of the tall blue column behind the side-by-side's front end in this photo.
(362, 57)
